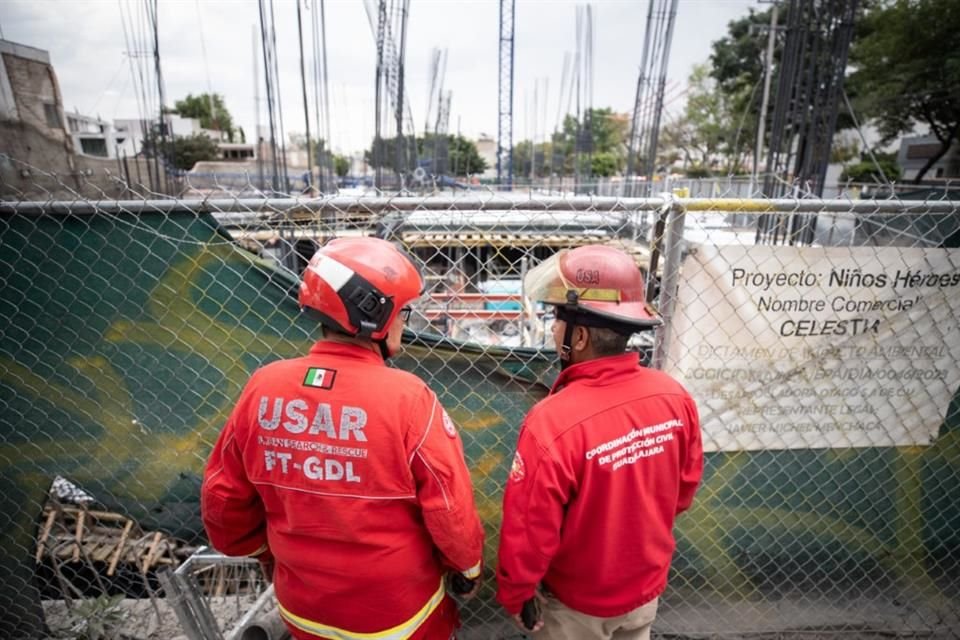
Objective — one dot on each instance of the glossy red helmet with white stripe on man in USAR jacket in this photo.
(359, 285)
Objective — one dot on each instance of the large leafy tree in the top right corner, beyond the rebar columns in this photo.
(906, 70)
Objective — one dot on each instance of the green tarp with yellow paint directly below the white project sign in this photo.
(825, 522)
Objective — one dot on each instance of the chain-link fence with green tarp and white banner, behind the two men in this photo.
(819, 337)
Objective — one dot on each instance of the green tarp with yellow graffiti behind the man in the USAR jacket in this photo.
(122, 366)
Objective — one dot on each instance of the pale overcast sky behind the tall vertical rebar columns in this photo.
(208, 45)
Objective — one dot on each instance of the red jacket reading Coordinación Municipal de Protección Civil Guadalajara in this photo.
(603, 466)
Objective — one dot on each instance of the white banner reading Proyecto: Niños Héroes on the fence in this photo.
(814, 347)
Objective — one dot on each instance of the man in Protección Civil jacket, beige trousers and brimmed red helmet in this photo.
(603, 465)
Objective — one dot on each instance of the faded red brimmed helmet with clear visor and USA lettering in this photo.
(597, 281)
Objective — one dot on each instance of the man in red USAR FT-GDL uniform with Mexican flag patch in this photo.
(345, 475)
